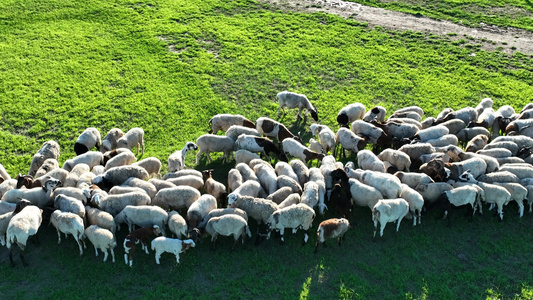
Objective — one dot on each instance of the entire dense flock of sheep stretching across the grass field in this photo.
(414, 164)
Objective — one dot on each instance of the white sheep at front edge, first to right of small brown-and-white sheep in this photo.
(390, 210)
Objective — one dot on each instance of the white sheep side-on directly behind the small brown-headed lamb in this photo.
(142, 216)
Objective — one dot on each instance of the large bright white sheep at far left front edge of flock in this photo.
(21, 226)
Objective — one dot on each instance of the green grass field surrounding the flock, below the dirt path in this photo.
(168, 66)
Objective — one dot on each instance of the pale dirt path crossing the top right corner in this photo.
(492, 36)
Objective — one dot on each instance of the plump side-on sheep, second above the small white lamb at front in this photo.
(176, 197)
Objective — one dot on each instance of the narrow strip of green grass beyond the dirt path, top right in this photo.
(504, 13)
